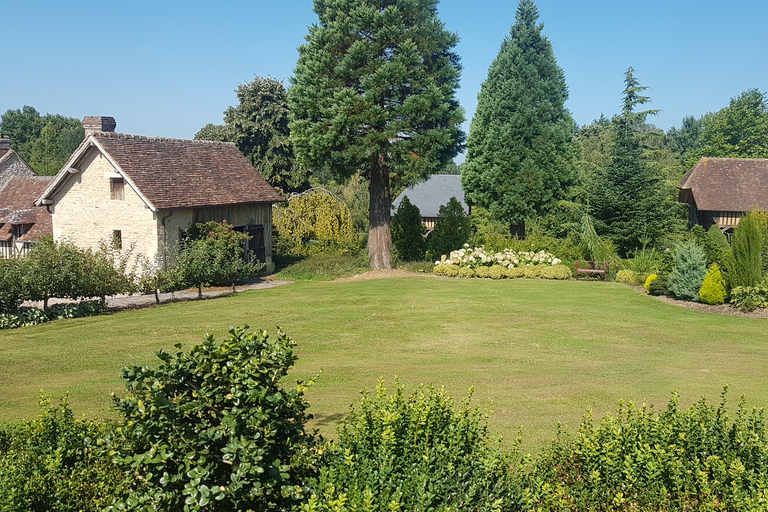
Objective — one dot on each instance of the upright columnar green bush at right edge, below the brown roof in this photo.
(747, 270)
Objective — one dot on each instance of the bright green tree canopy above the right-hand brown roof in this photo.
(740, 130)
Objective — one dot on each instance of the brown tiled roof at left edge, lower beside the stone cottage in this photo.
(17, 205)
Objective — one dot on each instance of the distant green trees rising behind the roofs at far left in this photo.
(45, 142)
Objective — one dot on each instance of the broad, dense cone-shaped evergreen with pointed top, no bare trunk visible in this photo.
(519, 159)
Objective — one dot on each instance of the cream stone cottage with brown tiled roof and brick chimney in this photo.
(145, 191)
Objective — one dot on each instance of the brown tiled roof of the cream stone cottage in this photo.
(175, 173)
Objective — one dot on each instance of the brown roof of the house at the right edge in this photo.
(727, 184)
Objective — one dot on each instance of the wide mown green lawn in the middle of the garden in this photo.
(541, 351)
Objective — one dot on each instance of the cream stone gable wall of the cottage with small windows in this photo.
(84, 212)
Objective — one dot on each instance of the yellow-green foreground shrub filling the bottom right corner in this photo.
(695, 459)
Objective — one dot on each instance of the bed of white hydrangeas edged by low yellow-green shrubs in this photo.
(476, 262)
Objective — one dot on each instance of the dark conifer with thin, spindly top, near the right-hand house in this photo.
(628, 199)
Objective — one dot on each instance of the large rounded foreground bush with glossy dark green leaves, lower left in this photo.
(213, 428)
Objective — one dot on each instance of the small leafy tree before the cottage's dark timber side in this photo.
(214, 253)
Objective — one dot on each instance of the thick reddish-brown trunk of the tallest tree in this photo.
(379, 234)
